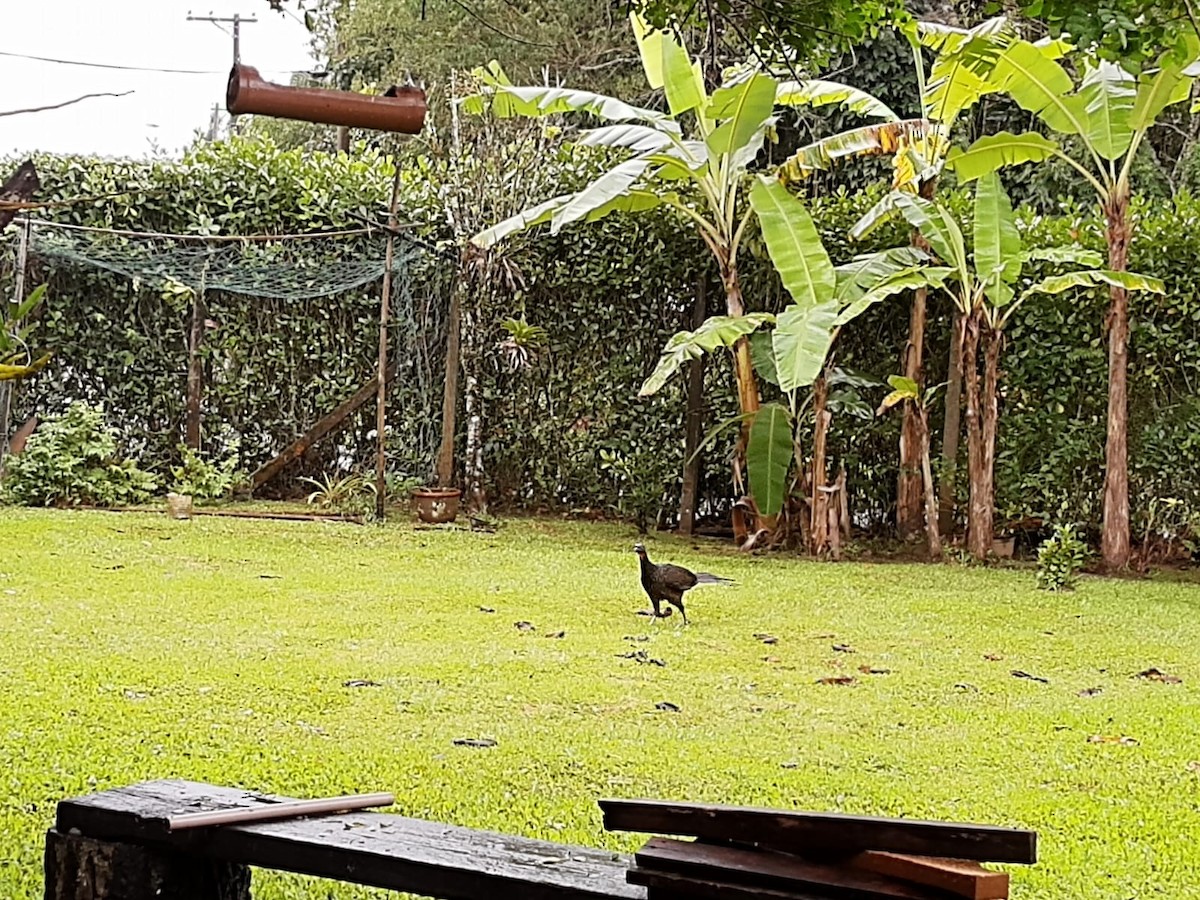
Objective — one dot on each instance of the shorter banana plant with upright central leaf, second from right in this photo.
(985, 290)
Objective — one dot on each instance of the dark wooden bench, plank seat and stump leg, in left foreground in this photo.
(116, 845)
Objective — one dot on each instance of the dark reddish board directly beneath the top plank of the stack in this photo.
(773, 871)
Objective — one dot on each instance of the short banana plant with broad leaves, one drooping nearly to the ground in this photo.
(795, 351)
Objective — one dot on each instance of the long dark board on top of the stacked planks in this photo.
(817, 832)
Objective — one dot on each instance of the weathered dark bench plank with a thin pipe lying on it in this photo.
(373, 849)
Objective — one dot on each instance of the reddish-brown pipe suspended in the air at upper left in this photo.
(401, 110)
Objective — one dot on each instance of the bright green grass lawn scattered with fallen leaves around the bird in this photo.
(133, 647)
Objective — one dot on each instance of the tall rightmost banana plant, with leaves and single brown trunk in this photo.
(1108, 116)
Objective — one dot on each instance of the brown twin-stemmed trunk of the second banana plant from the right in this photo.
(982, 415)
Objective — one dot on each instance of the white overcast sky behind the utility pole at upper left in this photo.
(152, 34)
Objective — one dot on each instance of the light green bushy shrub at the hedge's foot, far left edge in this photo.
(74, 459)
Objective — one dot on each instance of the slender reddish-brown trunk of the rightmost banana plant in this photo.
(1115, 538)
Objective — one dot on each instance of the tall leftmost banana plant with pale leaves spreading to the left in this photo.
(699, 172)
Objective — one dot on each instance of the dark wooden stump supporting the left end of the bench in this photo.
(80, 868)
